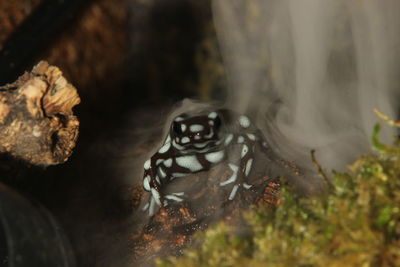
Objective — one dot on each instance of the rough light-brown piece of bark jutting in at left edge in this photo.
(37, 124)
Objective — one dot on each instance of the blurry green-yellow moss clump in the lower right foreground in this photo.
(357, 223)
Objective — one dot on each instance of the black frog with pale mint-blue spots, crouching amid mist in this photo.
(197, 143)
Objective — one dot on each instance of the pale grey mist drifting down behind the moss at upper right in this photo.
(311, 72)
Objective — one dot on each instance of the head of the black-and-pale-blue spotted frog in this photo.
(196, 132)
